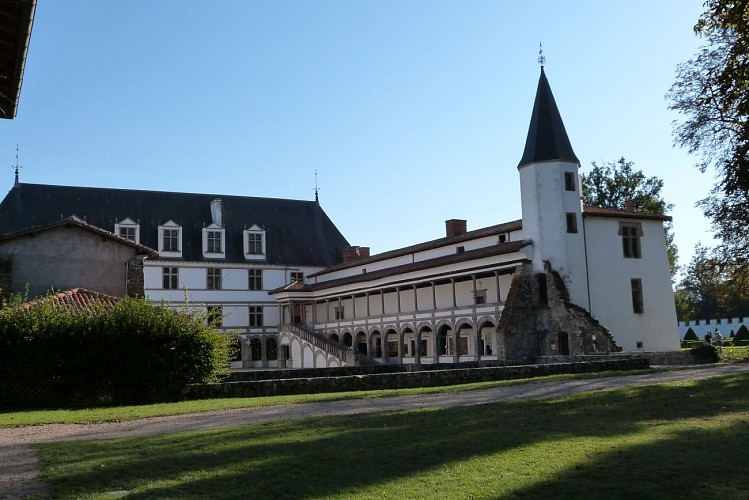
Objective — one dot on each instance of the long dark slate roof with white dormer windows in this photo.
(297, 232)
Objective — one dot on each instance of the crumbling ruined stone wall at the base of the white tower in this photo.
(539, 320)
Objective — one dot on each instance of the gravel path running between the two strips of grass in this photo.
(20, 468)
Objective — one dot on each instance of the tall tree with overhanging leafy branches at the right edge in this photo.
(712, 91)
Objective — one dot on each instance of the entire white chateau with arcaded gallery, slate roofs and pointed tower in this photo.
(564, 280)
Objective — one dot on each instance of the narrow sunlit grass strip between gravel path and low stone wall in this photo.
(123, 413)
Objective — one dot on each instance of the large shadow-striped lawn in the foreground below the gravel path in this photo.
(676, 440)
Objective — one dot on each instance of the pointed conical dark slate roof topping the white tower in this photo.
(547, 140)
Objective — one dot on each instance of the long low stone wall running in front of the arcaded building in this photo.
(403, 380)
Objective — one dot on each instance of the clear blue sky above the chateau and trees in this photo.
(412, 112)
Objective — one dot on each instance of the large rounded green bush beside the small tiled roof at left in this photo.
(130, 353)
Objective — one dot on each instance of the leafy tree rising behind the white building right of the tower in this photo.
(613, 184)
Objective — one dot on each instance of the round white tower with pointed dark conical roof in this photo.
(551, 197)
